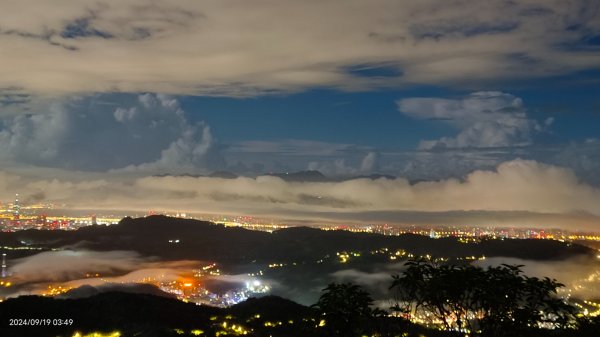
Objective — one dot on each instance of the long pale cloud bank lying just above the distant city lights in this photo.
(524, 191)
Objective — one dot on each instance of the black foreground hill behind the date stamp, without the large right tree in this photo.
(127, 315)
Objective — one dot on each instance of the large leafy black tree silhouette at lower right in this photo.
(497, 301)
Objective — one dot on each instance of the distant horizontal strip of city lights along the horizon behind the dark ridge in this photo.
(18, 216)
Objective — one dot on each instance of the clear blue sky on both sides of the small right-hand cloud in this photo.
(371, 118)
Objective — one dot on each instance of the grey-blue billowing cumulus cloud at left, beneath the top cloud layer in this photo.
(149, 133)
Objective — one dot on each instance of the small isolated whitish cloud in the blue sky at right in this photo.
(485, 119)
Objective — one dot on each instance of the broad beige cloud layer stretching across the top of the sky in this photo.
(215, 48)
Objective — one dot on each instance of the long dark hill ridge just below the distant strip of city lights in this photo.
(230, 245)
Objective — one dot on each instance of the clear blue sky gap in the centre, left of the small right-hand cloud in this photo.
(367, 118)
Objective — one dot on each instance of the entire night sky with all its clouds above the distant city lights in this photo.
(95, 92)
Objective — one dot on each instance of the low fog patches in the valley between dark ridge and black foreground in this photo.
(302, 283)
